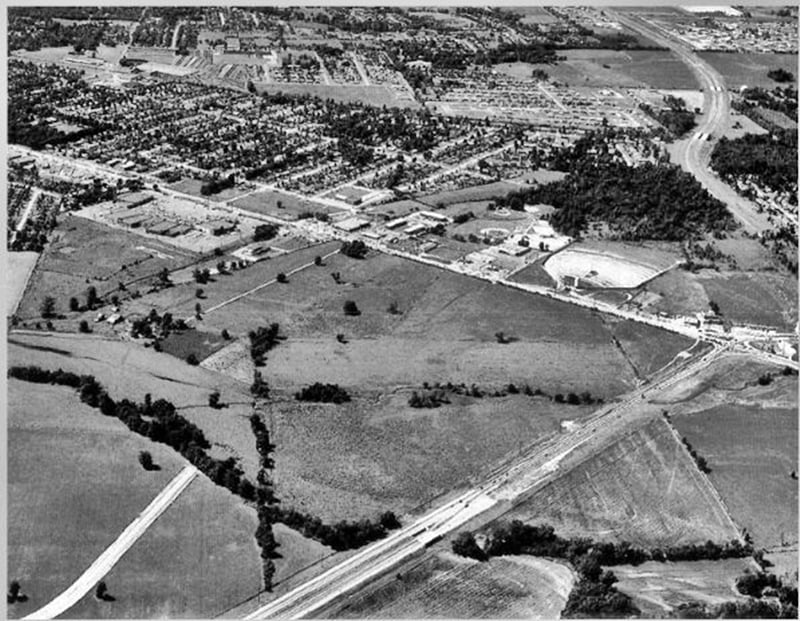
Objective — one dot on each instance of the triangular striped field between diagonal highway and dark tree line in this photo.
(644, 489)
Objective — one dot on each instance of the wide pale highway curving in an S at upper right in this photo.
(694, 154)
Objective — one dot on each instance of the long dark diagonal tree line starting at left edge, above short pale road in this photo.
(157, 420)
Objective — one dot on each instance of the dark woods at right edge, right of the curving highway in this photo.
(770, 158)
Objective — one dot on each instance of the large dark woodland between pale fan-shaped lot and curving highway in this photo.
(647, 202)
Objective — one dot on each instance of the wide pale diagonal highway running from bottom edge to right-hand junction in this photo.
(540, 465)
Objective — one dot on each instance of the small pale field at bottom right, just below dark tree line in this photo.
(658, 588)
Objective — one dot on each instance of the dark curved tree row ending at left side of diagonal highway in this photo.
(343, 535)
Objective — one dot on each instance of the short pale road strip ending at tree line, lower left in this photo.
(103, 564)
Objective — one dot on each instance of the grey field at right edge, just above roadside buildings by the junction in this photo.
(754, 297)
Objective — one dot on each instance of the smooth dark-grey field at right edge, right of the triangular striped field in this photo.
(751, 450)
